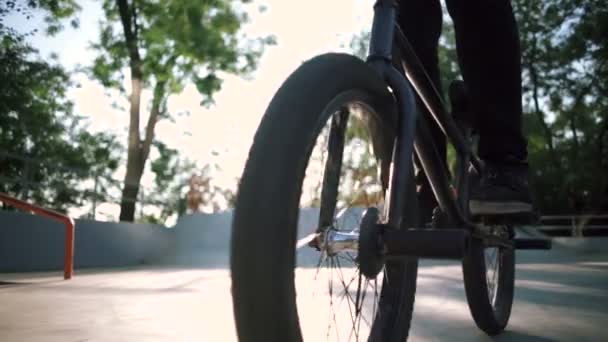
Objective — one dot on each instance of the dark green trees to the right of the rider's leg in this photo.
(564, 54)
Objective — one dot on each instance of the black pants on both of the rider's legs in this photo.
(487, 42)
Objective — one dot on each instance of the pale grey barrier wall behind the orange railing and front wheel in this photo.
(32, 243)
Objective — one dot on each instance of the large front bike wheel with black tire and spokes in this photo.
(318, 163)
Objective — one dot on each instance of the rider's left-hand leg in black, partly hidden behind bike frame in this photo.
(421, 21)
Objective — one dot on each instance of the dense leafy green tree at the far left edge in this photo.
(45, 152)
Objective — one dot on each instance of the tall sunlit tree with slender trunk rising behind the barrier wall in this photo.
(164, 45)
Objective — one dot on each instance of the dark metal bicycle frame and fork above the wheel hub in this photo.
(413, 131)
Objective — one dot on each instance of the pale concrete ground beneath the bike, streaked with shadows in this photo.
(561, 295)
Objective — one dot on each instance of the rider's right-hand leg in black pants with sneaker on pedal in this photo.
(489, 55)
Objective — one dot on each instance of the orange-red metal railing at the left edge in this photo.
(68, 263)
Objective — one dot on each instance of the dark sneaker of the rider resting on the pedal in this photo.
(503, 189)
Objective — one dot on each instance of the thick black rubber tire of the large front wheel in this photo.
(266, 211)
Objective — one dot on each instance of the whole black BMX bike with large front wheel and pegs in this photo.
(332, 111)
